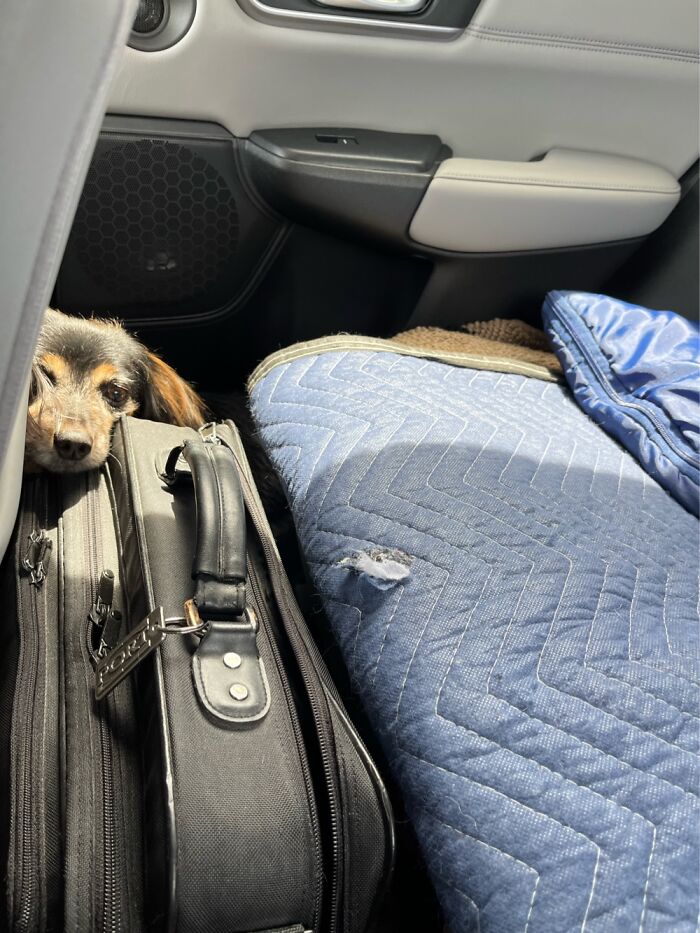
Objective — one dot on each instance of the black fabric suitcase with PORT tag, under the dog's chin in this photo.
(176, 755)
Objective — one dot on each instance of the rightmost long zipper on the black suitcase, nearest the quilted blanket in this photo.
(317, 700)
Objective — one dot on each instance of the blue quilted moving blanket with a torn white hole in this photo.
(517, 604)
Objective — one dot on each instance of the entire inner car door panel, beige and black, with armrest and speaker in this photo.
(330, 242)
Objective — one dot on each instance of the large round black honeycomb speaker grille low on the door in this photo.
(156, 223)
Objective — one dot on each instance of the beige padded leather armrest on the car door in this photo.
(566, 199)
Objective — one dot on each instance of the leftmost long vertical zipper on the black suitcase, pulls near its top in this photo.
(32, 890)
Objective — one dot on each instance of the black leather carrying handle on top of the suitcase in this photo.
(219, 565)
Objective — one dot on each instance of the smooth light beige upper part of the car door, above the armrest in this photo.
(613, 90)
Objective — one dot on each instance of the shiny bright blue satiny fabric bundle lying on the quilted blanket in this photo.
(637, 373)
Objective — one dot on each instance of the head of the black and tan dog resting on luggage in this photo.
(85, 374)
